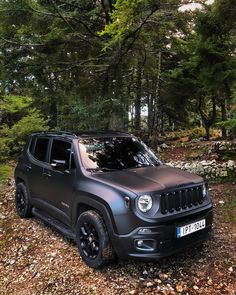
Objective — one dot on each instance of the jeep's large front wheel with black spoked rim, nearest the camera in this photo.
(93, 240)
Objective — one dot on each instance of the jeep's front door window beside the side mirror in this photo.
(61, 150)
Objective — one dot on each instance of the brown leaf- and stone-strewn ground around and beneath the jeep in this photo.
(34, 259)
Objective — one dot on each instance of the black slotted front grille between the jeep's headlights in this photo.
(181, 199)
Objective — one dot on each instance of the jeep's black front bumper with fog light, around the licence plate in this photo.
(161, 240)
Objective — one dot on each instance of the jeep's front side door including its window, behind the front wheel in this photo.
(59, 184)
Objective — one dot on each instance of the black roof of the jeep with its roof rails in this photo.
(84, 134)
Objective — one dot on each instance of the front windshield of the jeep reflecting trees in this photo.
(112, 153)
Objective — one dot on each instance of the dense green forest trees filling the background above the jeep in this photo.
(88, 64)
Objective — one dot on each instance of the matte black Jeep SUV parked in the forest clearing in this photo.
(111, 194)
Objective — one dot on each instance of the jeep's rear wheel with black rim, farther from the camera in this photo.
(22, 202)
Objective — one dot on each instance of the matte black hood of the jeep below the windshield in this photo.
(148, 179)
